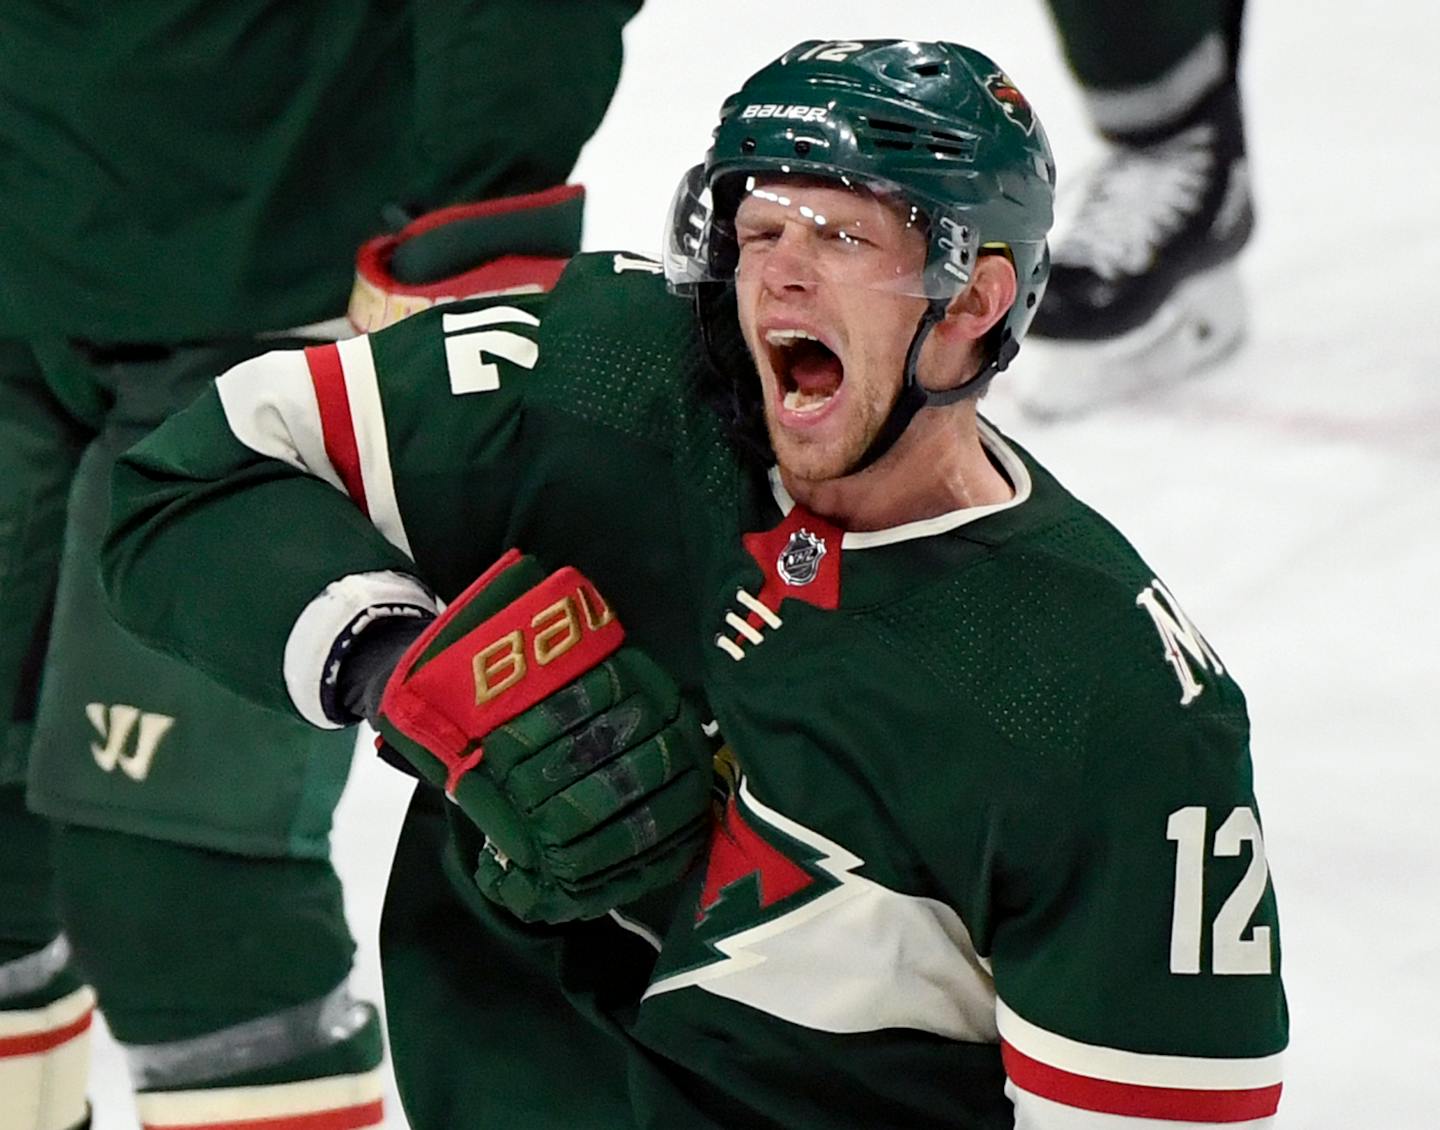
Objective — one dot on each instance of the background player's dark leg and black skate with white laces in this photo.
(1144, 289)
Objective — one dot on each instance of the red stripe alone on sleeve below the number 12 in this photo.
(1137, 1100)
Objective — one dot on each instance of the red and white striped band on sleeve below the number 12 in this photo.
(1063, 1085)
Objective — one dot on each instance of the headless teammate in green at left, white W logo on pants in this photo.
(185, 186)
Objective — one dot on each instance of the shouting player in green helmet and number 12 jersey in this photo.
(989, 853)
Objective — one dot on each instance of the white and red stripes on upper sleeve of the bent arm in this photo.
(320, 411)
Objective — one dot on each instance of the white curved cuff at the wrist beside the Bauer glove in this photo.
(326, 618)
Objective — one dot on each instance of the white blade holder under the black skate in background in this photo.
(1199, 326)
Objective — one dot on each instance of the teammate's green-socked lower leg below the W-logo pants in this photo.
(225, 981)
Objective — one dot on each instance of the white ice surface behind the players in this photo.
(1291, 500)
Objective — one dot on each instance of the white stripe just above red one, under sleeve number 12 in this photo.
(1146, 1070)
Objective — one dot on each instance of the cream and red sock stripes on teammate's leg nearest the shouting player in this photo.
(335, 1103)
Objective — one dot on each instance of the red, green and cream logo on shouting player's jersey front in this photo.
(783, 916)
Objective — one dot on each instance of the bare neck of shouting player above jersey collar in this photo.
(937, 467)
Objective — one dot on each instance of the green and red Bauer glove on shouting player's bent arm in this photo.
(577, 758)
